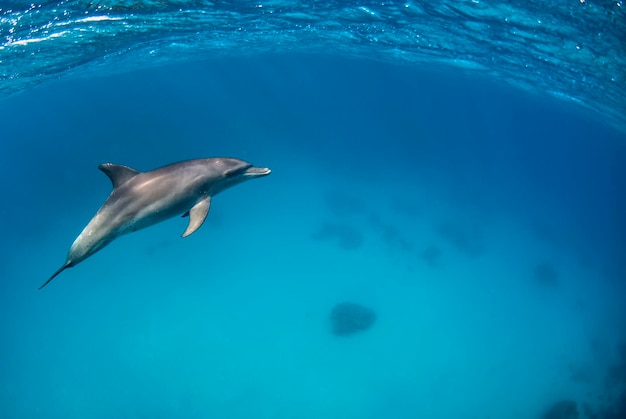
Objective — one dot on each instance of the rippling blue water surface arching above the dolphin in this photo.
(572, 50)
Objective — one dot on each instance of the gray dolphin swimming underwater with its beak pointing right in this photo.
(141, 199)
